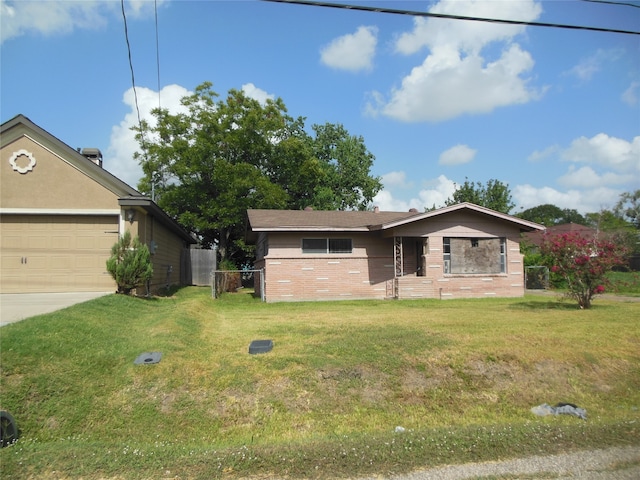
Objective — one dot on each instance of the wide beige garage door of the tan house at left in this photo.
(56, 253)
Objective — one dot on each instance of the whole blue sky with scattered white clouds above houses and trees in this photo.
(553, 113)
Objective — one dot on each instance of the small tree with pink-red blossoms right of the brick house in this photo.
(582, 263)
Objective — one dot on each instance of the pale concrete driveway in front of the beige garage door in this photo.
(18, 306)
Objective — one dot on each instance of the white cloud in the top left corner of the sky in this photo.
(59, 18)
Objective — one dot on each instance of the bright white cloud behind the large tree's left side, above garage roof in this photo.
(119, 155)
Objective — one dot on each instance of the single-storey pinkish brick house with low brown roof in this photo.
(455, 252)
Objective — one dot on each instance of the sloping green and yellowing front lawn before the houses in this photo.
(458, 376)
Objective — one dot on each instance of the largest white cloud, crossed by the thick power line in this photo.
(455, 79)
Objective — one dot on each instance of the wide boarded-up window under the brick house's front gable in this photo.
(482, 256)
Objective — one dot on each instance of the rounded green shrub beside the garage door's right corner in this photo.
(130, 263)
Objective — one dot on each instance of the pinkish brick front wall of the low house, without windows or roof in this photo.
(369, 273)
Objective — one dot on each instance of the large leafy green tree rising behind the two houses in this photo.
(207, 166)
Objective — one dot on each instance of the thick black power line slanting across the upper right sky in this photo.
(450, 17)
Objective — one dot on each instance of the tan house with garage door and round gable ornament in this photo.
(61, 212)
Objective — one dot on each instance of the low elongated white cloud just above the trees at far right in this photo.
(584, 201)
